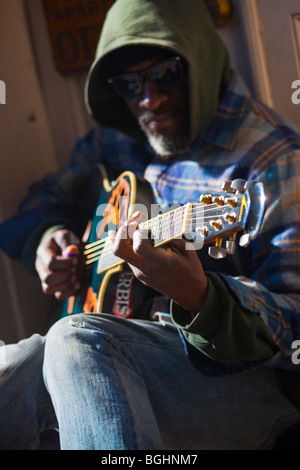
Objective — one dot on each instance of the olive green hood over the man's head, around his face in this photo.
(184, 27)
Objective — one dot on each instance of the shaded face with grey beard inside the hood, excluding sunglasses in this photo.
(161, 106)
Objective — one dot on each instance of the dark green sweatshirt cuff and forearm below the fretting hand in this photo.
(212, 330)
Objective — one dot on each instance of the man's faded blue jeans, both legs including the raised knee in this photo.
(124, 384)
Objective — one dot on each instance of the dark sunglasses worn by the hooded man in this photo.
(164, 72)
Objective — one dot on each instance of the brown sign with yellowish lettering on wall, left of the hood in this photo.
(74, 28)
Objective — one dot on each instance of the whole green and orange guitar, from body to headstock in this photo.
(109, 284)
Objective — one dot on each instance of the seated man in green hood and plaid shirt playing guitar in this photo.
(162, 77)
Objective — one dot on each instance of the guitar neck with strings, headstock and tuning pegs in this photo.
(210, 220)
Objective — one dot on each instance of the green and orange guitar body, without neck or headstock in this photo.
(115, 290)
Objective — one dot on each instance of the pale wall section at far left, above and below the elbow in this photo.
(26, 153)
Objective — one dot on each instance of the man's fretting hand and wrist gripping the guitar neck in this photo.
(172, 269)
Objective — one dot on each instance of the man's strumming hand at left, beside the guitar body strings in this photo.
(57, 264)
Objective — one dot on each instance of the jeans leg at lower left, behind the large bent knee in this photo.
(25, 406)
